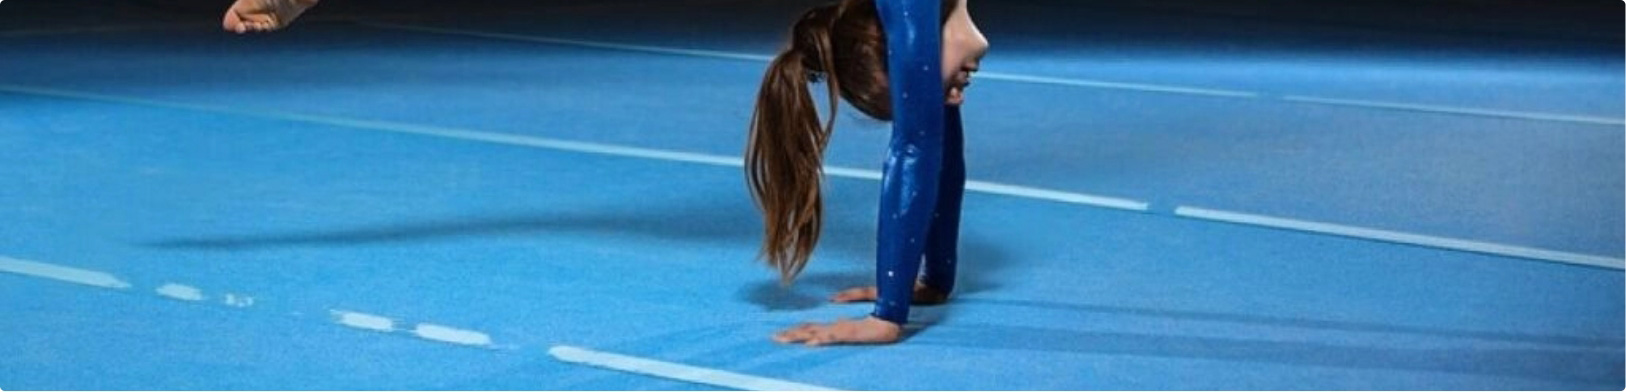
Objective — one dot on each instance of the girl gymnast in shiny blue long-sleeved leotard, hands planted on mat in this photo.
(902, 61)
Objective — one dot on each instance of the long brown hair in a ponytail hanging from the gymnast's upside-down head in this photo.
(845, 46)
